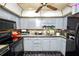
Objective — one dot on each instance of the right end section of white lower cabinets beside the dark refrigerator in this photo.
(58, 44)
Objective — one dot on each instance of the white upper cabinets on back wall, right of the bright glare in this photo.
(59, 23)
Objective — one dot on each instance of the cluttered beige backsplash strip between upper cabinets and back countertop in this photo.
(50, 32)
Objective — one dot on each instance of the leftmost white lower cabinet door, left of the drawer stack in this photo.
(28, 44)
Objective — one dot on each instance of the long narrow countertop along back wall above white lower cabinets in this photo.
(42, 36)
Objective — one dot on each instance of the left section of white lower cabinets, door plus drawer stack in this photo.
(32, 44)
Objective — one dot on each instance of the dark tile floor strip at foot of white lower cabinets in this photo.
(43, 53)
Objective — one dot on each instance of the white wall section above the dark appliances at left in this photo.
(4, 14)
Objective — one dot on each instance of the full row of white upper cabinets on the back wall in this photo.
(59, 23)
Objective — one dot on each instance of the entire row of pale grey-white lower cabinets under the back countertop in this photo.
(45, 44)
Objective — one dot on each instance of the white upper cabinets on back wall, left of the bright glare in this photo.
(28, 23)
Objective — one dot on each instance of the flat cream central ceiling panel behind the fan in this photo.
(34, 6)
